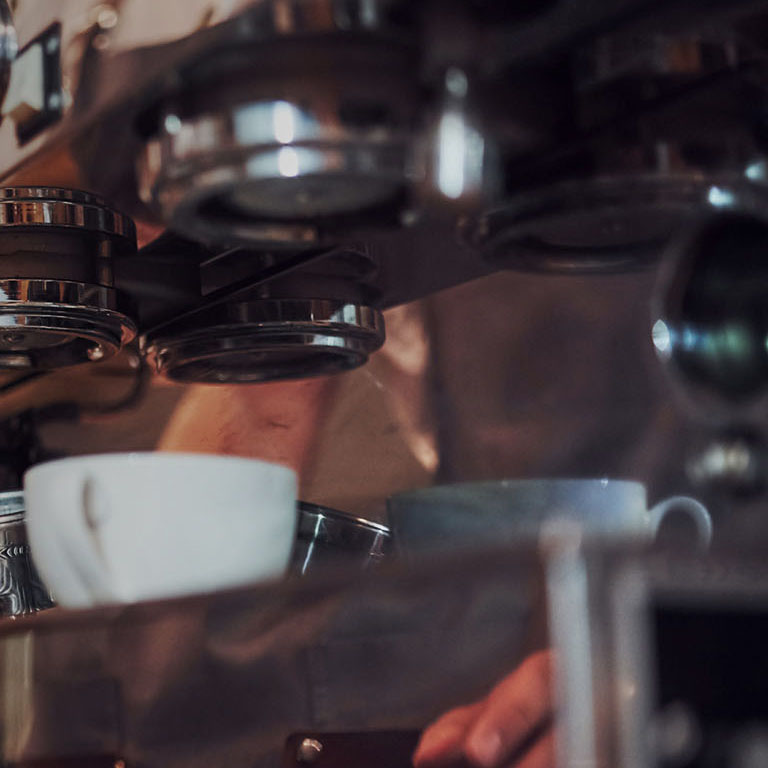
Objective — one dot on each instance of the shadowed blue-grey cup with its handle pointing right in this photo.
(473, 514)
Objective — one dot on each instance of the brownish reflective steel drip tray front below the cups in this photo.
(224, 679)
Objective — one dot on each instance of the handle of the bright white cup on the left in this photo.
(87, 553)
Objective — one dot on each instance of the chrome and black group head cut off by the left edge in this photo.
(64, 311)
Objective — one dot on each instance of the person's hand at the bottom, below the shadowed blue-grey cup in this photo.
(512, 726)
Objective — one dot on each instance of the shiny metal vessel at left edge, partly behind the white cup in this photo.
(21, 589)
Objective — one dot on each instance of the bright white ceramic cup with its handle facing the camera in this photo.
(119, 528)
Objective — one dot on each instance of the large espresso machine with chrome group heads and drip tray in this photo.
(234, 192)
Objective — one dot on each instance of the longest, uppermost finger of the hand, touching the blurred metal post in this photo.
(514, 710)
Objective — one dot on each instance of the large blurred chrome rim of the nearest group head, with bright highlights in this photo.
(209, 159)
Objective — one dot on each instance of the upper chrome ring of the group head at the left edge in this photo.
(53, 207)
